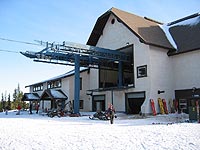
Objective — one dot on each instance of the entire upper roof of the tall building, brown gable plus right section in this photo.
(178, 36)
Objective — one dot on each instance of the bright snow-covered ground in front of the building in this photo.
(18, 132)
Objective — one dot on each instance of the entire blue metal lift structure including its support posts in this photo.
(80, 55)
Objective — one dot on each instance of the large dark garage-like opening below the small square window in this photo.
(134, 102)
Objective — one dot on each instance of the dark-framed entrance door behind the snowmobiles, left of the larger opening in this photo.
(98, 103)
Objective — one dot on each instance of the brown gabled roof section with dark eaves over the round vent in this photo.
(147, 30)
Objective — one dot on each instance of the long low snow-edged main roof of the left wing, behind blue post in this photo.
(65, 75)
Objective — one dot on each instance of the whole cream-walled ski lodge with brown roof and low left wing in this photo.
(165, 64)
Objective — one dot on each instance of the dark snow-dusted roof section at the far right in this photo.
(186, 33)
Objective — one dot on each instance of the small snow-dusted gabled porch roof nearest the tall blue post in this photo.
(50, 94)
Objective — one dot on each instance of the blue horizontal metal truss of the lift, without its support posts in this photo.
(89, 55)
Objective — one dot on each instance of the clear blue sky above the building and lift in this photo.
(63, 20)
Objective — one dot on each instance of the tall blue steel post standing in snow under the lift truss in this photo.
(77, 84)
